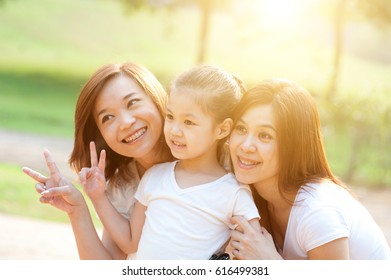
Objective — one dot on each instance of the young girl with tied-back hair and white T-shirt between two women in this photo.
(184, 207)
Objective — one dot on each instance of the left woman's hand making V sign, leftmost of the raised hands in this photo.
(55, 189)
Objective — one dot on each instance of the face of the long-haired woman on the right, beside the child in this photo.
(253, 146)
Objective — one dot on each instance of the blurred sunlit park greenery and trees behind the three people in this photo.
(338, 49)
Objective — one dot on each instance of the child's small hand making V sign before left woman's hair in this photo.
(93, 178)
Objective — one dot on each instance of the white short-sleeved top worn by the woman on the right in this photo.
(324, 212)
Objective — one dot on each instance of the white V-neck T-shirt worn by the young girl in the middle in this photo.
(190, 223)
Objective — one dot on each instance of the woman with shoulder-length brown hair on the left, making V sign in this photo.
(120, 115)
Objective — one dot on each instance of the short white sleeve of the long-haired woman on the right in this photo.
(320, 226)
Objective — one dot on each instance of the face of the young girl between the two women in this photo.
(189, 131)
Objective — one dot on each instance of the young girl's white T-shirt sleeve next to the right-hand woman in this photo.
(244, 204)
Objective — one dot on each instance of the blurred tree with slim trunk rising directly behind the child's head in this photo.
(206, 8)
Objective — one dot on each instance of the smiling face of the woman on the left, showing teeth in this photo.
(128, 119)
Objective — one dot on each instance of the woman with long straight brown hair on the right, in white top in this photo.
(276, 146)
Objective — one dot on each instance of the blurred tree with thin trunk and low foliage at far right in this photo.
(348, 113)
